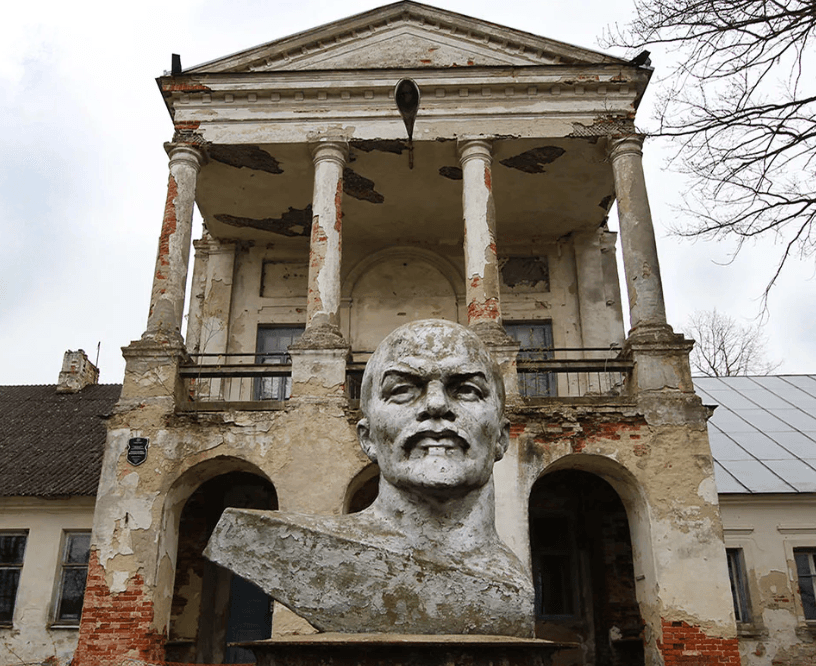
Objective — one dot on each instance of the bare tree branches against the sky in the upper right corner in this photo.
(741, 108)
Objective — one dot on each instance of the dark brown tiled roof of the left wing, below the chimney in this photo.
(51, 443)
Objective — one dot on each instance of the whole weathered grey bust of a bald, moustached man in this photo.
(425, 558)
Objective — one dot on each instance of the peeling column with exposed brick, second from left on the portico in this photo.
(325, 248)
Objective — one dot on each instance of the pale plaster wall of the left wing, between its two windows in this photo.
(31, 639)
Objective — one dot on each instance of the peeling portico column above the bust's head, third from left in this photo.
(481, 263)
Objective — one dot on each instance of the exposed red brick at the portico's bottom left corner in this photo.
(116, 625)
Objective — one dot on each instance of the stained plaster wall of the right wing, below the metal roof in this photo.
(767, 528)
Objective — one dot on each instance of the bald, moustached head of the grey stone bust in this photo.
(433, 408)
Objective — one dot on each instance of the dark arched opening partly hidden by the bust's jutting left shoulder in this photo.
(212, 607)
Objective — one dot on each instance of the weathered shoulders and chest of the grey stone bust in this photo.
(344, 572)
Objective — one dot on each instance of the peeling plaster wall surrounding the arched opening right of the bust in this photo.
(664, 476)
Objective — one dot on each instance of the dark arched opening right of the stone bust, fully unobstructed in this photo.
(583, 569)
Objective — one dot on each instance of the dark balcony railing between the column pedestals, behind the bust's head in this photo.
(251, 381)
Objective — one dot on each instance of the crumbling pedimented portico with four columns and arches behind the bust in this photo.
(408, 163)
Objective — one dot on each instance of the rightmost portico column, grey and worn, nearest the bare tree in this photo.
(646, 305)
